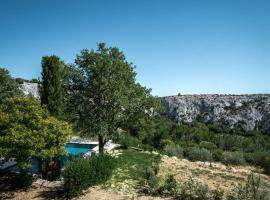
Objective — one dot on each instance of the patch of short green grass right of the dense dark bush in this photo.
(129, 173)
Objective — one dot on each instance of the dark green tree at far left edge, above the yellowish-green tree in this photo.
(8, 85)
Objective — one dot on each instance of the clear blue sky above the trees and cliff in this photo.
(186, 46)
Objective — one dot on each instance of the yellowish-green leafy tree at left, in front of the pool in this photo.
(27, 131)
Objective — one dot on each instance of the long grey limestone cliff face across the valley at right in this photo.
(248, 110)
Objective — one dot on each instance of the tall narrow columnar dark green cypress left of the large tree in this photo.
(51, 91)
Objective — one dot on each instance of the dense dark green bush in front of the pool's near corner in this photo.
(79, 173)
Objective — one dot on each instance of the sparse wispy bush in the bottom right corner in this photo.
(251, 190)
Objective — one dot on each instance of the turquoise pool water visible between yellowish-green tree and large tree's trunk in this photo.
(78, 148)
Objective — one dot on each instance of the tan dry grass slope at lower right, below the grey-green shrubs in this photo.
(214, 175)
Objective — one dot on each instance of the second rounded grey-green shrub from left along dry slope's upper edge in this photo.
(201, 154)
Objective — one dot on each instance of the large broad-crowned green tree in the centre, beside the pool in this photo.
(108, 92)
